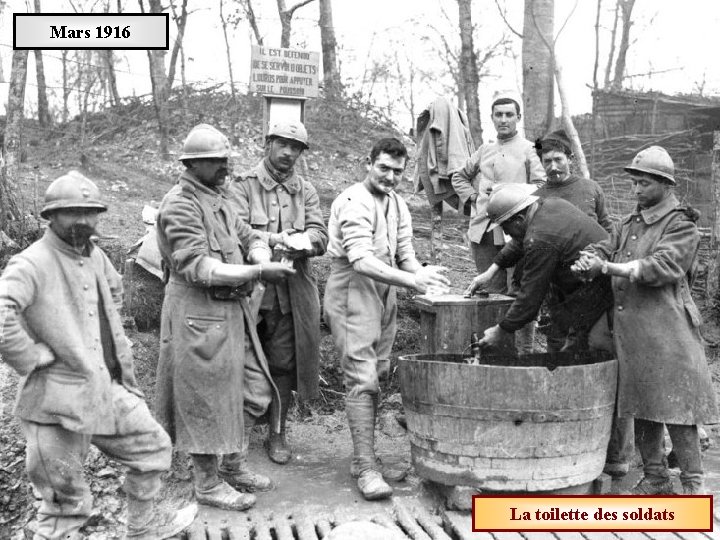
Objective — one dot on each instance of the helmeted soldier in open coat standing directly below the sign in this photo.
(284, 210)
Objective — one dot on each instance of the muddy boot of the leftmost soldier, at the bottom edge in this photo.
(147, 522)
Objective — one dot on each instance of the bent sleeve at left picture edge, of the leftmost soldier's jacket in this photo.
(18, 288)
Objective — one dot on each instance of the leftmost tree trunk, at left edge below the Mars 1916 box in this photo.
(12, 142)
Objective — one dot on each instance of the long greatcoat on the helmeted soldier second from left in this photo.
(203, 340)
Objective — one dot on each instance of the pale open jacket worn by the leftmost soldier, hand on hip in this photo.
(49, 294)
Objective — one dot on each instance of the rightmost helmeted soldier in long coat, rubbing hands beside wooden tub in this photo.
(664, 377)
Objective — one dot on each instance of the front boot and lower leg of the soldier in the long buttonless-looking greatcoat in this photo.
(211, 490)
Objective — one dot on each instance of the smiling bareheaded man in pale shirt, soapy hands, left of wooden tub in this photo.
(371, 248)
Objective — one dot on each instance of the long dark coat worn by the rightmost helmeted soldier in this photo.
(664, 375)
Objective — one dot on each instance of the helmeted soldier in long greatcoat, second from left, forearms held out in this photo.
(213, 380)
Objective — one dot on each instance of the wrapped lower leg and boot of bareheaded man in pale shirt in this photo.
(361, 419)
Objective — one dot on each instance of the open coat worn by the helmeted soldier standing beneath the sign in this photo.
(259, 199)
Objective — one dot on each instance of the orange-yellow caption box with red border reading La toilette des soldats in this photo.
(609, 513)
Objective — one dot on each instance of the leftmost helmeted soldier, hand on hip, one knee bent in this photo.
(61, 330)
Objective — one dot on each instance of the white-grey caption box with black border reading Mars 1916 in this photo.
(91, 31)
